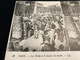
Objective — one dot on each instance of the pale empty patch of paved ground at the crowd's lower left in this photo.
(32, 43)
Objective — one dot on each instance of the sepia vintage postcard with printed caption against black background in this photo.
(44, 30)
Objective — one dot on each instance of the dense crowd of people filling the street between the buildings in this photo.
(50, 27)
